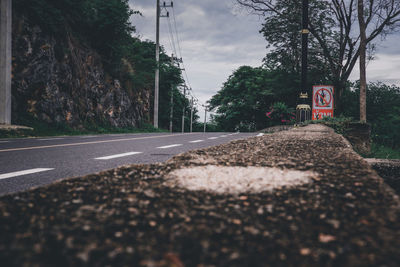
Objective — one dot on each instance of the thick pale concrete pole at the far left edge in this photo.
(5, 61)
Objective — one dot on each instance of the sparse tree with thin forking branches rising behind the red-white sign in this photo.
(331, 24)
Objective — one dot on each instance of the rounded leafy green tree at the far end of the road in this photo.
(247, 96)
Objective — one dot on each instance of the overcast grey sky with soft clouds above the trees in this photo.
(216, 38)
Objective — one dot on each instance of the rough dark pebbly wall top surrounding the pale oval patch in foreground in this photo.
(347, 216)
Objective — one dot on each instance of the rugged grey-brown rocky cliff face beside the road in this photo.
(60, 80)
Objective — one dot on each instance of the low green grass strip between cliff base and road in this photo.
(43, 129)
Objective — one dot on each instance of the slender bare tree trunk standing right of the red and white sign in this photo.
(363, 76)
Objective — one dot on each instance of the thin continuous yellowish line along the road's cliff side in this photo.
(89, 143)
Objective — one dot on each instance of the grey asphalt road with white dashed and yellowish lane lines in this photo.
(31, 162)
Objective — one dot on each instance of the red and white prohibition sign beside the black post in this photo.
(322, 101)
